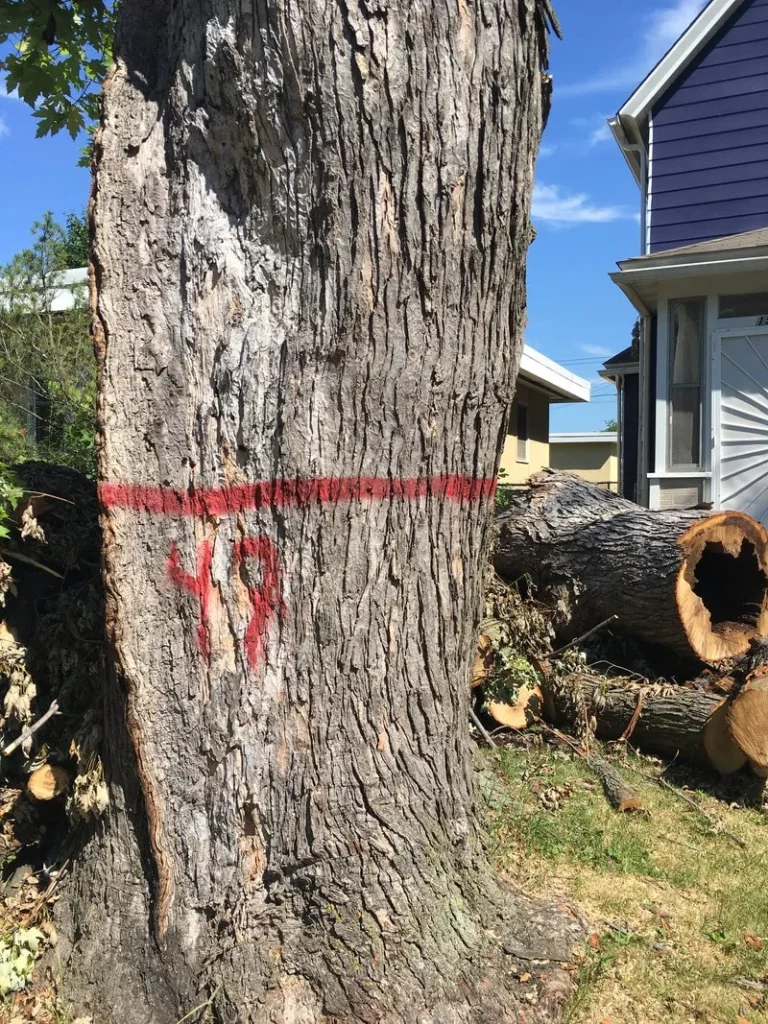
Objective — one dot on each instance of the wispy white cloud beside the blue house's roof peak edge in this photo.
(661, 29)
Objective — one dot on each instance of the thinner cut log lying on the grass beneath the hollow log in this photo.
(674, 721)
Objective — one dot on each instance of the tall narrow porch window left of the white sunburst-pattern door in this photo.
(688, 325)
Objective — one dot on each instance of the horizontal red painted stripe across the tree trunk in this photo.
(269, 494)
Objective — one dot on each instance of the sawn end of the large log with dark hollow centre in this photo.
(722, 587)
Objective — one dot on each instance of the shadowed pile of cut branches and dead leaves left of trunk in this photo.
(52, 670)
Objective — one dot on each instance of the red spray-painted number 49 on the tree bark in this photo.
(267, 600)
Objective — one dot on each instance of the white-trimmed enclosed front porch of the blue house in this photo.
(699, 429)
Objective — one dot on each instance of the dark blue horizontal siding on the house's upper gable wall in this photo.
(709, 160)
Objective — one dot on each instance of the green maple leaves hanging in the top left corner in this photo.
(61, 51)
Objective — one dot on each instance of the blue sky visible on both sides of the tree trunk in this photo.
(586, 202)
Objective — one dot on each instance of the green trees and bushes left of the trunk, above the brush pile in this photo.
(48, 367)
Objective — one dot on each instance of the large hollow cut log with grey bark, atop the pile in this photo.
(692, 582)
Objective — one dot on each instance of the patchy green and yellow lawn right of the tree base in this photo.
(679, 907)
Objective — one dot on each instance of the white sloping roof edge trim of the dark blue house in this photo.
(630, 124)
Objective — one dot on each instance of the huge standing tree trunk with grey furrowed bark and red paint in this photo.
(311, 234)
